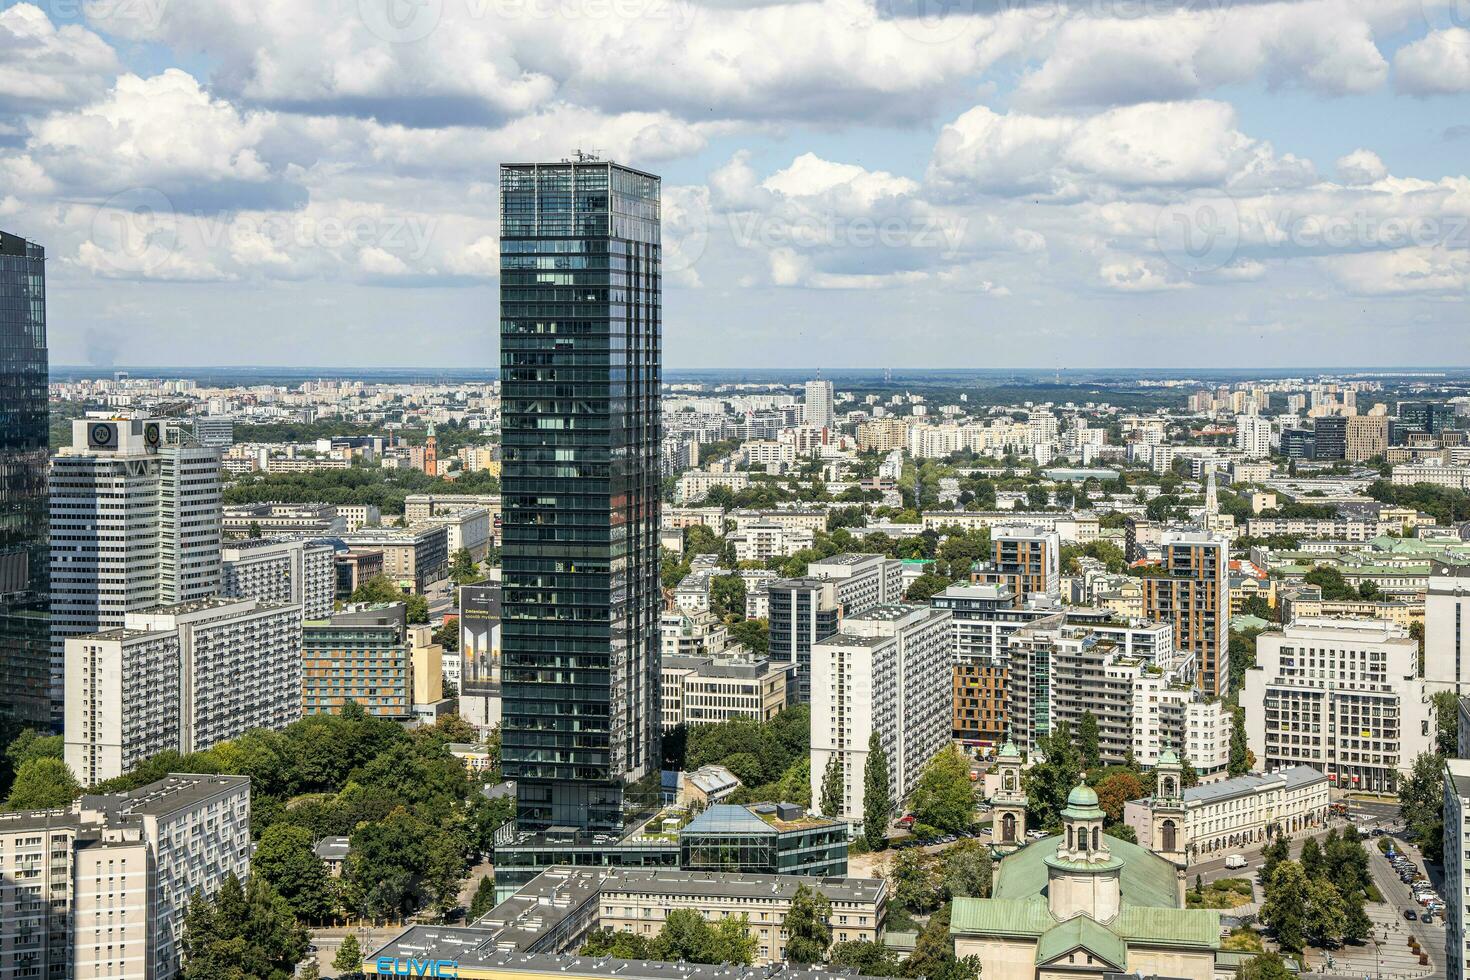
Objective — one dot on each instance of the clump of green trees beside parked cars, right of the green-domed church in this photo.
(1318, 900)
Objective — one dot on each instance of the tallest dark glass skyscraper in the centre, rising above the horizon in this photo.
(580, 368)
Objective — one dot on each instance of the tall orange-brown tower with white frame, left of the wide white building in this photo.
(1193, 594)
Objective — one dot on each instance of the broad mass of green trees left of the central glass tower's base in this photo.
(415, 818)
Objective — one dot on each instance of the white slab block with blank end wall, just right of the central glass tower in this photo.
(886, 671)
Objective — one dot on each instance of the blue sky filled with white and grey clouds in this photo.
(847, 183)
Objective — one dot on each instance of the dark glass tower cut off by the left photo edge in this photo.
(26, 660)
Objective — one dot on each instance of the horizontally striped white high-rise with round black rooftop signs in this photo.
(135, 524)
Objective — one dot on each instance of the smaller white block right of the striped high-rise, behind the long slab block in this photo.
(282, 572)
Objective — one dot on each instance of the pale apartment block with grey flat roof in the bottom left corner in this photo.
(99, 890)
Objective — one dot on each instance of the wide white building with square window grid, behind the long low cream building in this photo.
(1343, 697)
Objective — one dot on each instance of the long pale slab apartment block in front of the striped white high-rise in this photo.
(180, 678)
